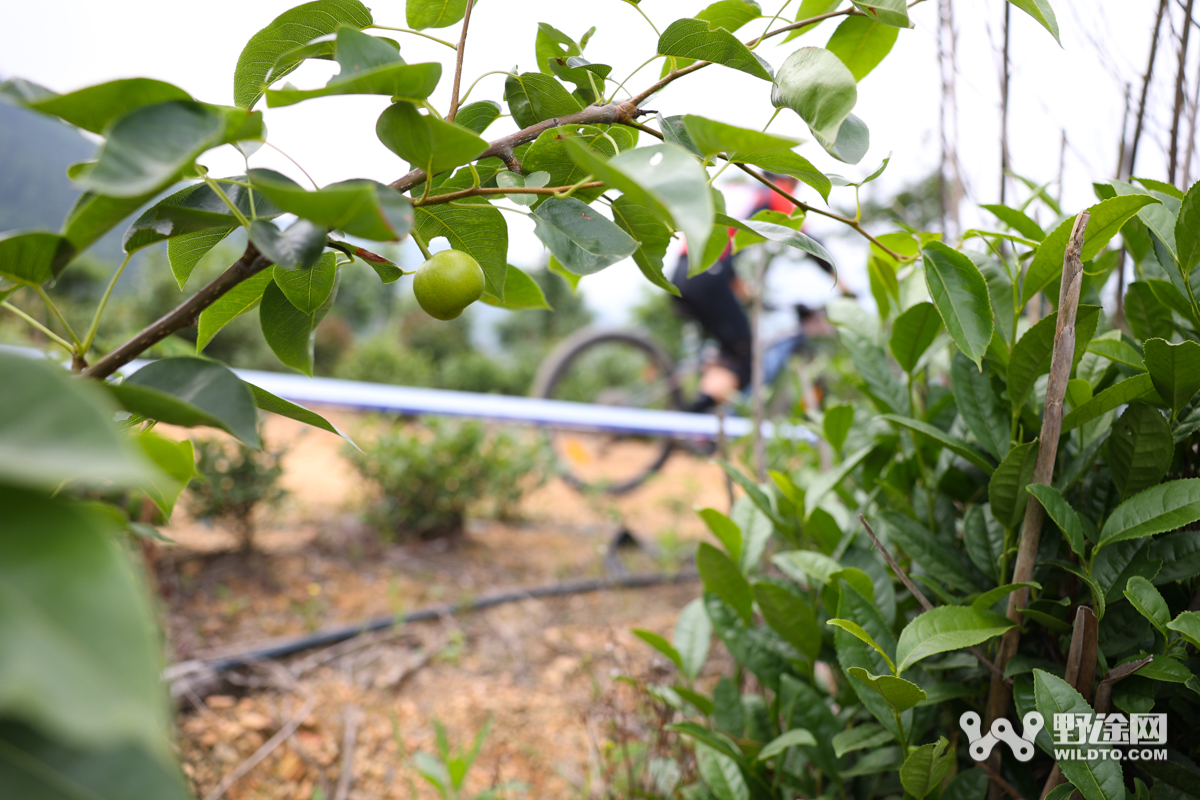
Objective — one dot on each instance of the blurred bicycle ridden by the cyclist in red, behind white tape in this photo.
(628, 369)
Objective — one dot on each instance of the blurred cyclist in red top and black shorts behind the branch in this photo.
(715, 300)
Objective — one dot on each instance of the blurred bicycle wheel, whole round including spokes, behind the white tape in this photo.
(616, 369)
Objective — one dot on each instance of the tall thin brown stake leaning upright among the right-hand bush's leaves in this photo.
(1000, 694)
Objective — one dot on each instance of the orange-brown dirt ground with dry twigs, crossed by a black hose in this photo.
(350, 718)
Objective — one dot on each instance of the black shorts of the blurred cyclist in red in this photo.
(709, 298)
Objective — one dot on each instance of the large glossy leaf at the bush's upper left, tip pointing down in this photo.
(961, 293)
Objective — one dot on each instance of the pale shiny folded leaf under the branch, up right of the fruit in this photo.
(662, 178)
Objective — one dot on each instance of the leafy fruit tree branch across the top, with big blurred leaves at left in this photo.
(79, 684)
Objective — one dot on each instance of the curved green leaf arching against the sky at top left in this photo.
(290, 31)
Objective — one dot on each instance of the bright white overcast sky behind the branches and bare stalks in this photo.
(1077, 88)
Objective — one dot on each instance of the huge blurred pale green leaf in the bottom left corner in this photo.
(79, 654)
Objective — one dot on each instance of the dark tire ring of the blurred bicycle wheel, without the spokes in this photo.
(556, 368)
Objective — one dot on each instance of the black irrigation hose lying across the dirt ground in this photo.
(335, 635)
